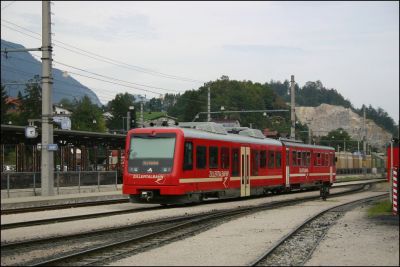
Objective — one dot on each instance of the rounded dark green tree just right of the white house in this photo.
(87, 116)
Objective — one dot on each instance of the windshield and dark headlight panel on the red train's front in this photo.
(151, 153)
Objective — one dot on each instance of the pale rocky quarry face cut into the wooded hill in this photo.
(325, 118)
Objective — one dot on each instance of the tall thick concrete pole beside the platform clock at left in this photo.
(47, 162)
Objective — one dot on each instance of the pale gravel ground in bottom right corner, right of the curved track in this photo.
(360, 240)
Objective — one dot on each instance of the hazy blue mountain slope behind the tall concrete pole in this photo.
(20, 67)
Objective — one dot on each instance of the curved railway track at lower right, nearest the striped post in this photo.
(296, 248)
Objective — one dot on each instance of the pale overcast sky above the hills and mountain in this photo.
(352, 47)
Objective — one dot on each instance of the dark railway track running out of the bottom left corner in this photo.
(102, 246)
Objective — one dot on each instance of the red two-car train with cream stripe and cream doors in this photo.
(170, 165)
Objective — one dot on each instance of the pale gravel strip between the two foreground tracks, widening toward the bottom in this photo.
(237, 242)
